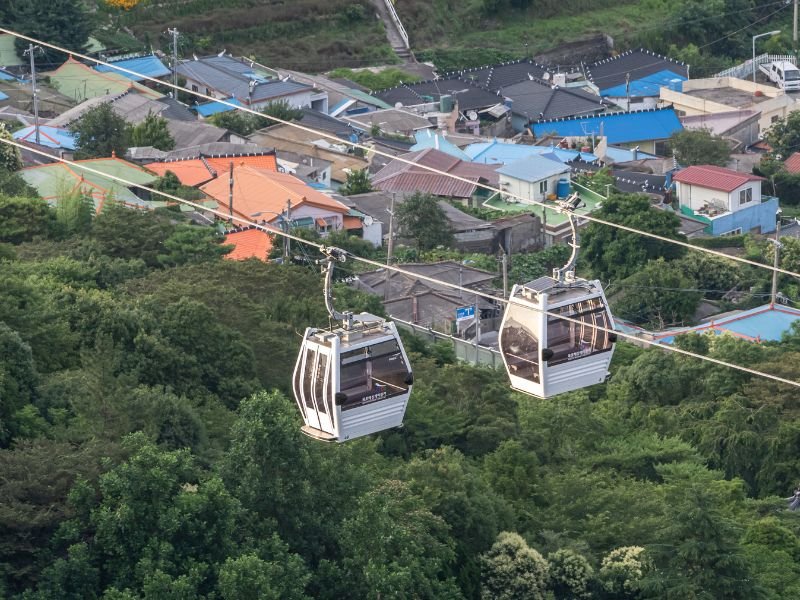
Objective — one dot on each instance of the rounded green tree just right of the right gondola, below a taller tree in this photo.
(658, 295)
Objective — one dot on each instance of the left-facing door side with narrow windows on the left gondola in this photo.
(316, 388)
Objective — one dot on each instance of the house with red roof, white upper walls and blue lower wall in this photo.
(728, 202)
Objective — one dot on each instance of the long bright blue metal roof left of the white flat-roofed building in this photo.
(619, 128)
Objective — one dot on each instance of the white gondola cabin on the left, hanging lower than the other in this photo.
(352, 382)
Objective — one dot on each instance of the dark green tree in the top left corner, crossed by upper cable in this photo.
(65, 23)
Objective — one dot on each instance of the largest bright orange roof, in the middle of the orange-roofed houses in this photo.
(261, 194)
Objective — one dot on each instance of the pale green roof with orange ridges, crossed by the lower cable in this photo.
(53, 180)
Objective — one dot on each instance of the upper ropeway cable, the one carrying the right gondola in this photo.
(330, 136)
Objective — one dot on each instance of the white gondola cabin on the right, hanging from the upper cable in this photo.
(546, 355)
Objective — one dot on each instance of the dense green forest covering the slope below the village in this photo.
(149, 448)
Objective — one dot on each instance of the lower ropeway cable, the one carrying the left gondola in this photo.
(419, 276)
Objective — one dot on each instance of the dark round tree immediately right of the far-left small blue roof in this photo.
(100, 132)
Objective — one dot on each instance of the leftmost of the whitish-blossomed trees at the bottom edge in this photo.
(512, 569)
